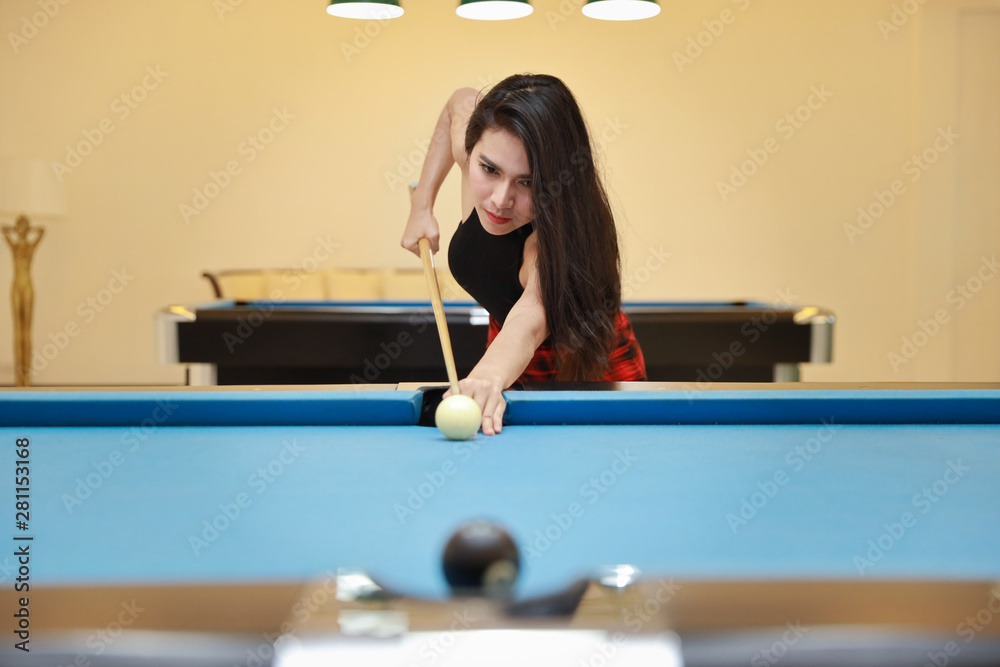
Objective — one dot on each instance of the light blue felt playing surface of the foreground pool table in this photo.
(337, 501)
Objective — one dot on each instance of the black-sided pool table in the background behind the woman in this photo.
(267, 342)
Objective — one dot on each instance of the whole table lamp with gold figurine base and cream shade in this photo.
(28, 191)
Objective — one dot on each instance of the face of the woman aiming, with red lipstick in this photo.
(501, 182)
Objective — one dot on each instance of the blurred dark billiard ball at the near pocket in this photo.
(481, 558)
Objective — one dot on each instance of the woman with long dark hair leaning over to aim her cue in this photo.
(538, 246)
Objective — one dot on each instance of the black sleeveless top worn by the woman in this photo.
(487, 266)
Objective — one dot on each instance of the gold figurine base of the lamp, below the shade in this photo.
(22, 239)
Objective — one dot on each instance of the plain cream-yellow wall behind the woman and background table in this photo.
(350, 114)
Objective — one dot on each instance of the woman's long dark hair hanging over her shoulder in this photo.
(578, 260)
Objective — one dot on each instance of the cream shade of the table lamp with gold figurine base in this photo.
(30, 187)
